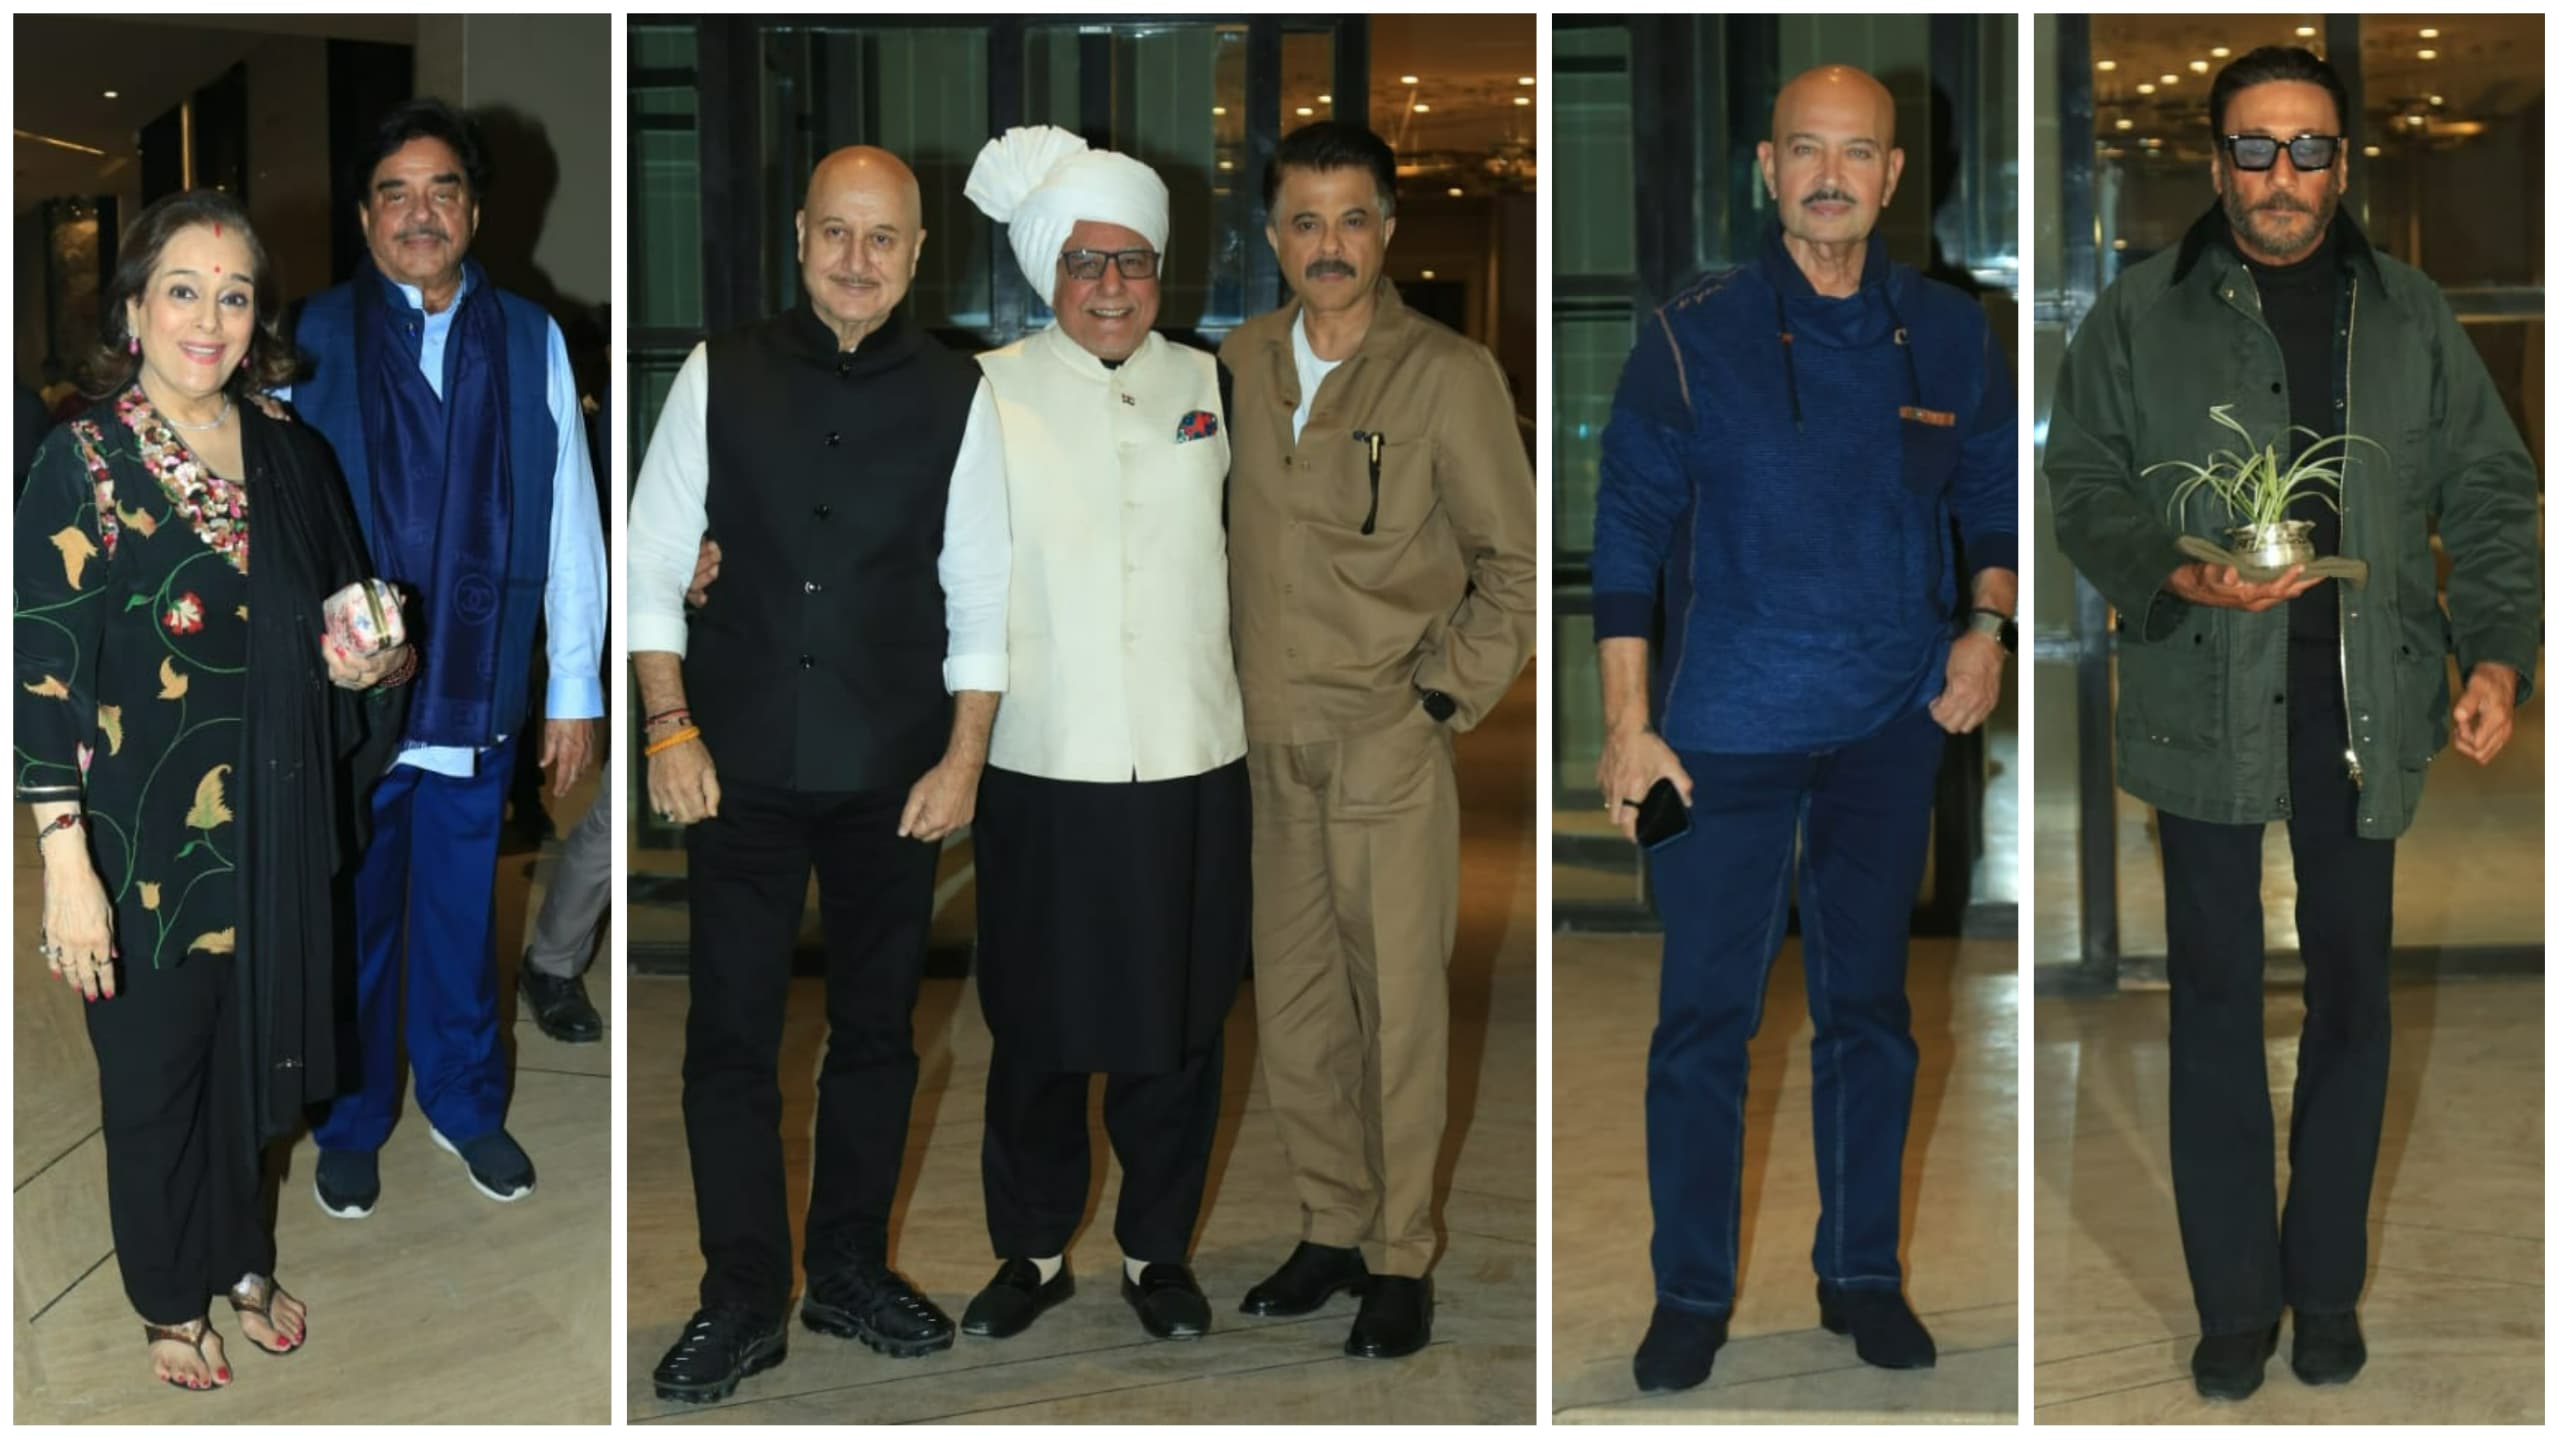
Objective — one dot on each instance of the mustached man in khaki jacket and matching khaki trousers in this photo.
(1379, 475)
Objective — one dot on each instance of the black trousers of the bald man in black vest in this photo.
(749, 872)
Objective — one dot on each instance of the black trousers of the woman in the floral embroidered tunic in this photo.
(183, 1174)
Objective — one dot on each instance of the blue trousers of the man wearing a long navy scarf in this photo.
(426, 895)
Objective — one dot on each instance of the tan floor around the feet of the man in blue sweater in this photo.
(1780, 1368)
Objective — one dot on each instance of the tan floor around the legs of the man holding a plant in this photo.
(2454, 1307)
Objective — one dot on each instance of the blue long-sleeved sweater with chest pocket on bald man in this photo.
(1796, 526)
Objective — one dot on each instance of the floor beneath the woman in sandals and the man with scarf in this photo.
(439, 1309)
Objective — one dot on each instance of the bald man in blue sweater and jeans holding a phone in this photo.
(1783, 459)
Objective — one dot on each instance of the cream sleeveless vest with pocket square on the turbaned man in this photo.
(1117, 621)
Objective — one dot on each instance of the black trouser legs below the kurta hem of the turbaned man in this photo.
(1038, 1156)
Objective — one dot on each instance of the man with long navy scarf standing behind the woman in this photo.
(457, 424)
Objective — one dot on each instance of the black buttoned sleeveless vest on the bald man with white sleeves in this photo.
(820, 669)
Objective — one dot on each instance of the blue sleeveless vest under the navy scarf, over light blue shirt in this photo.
(329, 403)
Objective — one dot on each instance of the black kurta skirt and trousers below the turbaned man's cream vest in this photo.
(1112, 935)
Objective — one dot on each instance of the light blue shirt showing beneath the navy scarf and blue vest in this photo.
(575, 587)
